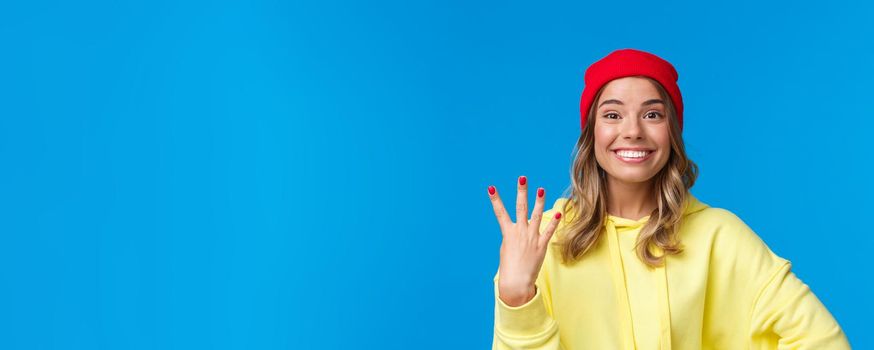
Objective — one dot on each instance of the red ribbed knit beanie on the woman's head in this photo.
(628, 62)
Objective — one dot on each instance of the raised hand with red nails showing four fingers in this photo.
(523, 247)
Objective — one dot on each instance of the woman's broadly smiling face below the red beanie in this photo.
(632, 140)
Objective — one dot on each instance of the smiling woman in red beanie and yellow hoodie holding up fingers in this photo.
(636, 261)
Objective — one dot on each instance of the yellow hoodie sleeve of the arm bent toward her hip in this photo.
(787, 311)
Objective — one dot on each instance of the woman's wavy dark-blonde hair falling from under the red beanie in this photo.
(589, 187)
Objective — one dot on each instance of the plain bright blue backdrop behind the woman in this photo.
(267, 174)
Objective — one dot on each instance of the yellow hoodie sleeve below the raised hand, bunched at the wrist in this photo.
(531, 325)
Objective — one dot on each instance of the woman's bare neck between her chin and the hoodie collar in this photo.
(630, 200)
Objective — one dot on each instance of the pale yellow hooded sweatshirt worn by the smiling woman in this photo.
(727, 290)
